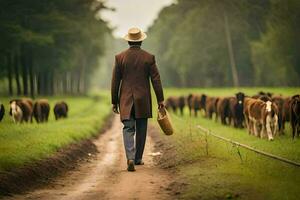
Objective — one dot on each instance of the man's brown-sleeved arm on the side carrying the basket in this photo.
(156, 83)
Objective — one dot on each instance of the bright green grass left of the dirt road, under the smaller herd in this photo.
(25, 143)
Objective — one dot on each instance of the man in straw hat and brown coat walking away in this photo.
(130, 91)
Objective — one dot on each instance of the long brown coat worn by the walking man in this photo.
(130, 82)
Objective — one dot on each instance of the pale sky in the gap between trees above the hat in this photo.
(132, 13)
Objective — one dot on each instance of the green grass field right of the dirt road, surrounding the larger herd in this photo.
(228, 172)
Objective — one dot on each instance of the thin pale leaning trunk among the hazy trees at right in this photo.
(230, 52)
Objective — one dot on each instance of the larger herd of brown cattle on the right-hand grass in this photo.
(263, 114)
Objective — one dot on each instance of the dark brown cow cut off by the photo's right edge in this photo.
(295, 115)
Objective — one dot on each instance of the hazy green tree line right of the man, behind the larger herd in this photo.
(228, 43)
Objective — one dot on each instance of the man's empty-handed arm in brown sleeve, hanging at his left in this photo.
(115, 85)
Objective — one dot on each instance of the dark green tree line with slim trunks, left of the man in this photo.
(50, 47)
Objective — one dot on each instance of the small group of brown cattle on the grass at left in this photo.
(25, 109)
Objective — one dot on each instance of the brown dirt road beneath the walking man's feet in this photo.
(105, 176)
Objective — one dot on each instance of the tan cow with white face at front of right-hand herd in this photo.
(264, 118)
